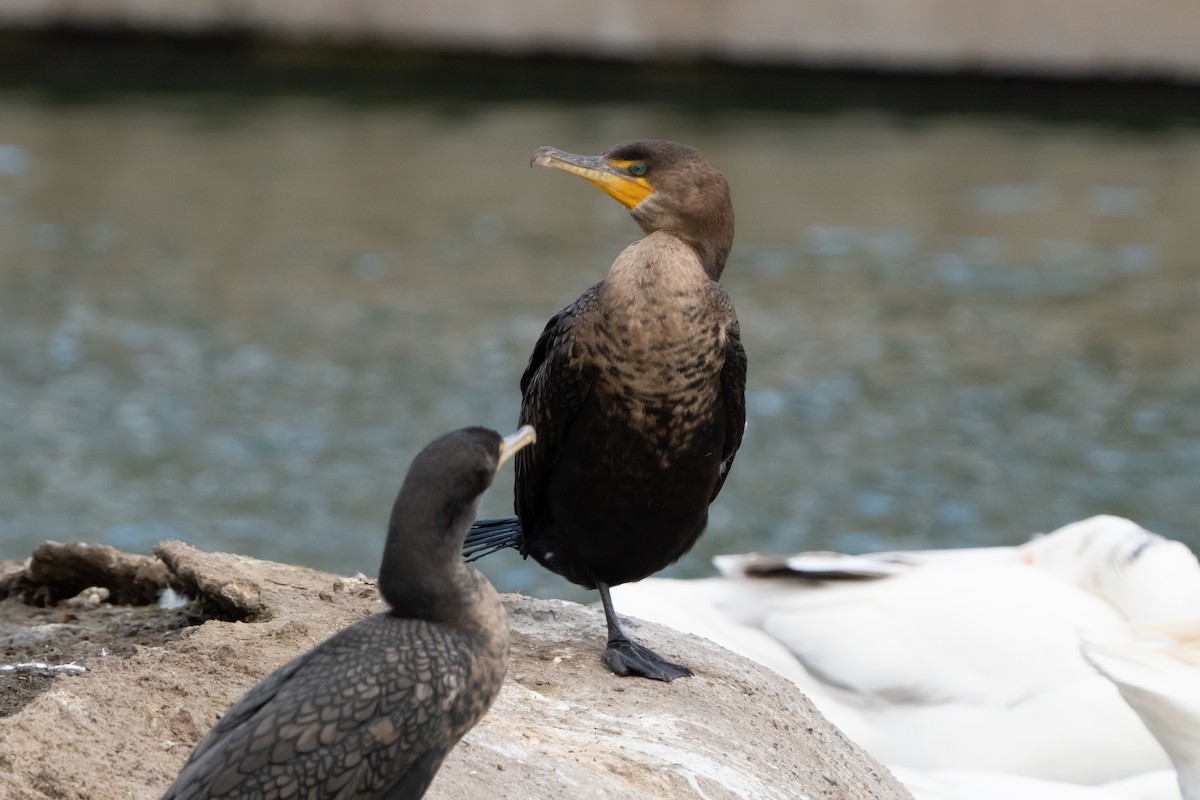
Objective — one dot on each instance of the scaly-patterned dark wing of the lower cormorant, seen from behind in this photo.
(351, 717)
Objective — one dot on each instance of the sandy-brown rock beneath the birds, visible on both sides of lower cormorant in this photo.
(563, 725)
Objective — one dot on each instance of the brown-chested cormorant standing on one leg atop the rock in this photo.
(637, 390)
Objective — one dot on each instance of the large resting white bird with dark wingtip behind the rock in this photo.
(955, 660)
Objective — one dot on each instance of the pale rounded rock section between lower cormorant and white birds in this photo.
(565, 726)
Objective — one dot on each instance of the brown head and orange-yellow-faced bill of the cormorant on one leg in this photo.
(667, 187)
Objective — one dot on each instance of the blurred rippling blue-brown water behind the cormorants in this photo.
(236, 322)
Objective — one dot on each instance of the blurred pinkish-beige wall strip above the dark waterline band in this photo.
(1111, 38)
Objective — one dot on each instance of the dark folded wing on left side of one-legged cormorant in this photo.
(551, 394)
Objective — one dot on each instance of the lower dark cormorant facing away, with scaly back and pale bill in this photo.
(371, 712)
